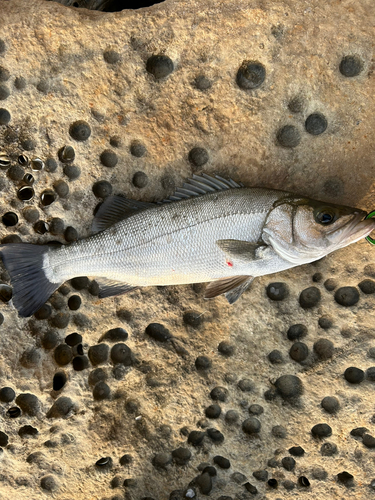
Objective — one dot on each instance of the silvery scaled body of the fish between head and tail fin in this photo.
(174, 243)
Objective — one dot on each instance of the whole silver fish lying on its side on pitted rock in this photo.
(211, 230)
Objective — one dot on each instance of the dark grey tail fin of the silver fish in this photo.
(27, 266)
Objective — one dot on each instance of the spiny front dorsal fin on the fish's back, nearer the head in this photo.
(202, 184)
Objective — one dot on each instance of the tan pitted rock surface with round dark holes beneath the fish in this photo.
(84, 79)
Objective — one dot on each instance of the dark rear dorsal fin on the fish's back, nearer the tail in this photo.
(116, 208)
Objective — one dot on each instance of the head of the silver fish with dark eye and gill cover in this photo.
(301, 230)
